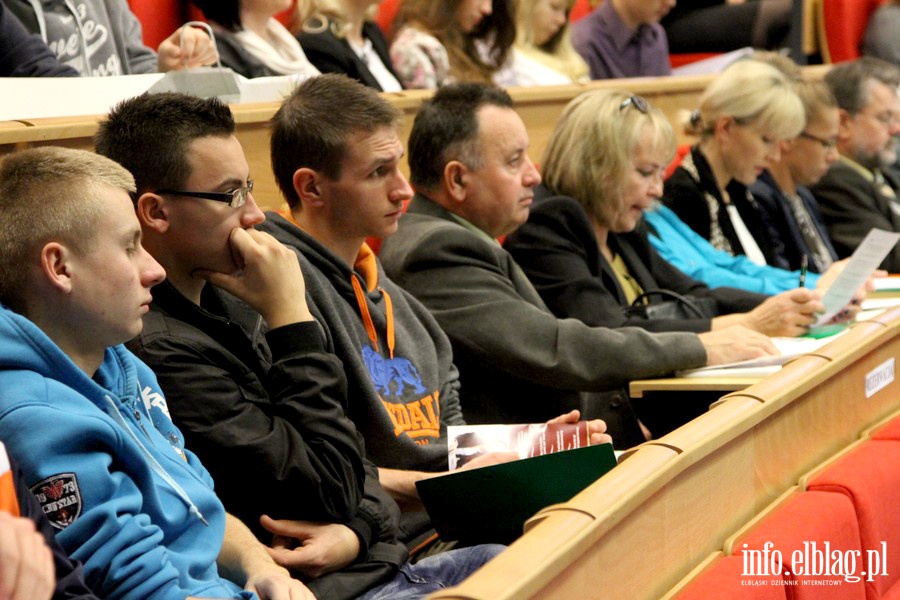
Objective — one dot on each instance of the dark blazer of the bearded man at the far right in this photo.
(851, 206)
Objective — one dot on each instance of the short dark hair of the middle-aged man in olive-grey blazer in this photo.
(446, 128)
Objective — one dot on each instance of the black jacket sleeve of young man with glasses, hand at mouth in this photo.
(276, 443)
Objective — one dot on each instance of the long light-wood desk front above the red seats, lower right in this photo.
(637, 531)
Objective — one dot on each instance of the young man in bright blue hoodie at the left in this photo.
(88, 420)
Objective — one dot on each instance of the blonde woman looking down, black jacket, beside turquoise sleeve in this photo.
(745, 114)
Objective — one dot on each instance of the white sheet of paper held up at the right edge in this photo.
(865, 260)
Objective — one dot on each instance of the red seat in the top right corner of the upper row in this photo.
(842, 24)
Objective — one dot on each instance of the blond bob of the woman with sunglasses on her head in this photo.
(593, 145)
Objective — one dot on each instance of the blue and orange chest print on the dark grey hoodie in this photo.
(395, 377)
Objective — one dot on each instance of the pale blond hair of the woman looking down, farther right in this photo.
(752, 92)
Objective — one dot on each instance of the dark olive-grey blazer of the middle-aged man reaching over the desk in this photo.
(517, 361)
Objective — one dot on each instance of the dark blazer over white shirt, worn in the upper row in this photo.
(331, 54)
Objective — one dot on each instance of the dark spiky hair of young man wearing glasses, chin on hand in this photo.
(149, 135)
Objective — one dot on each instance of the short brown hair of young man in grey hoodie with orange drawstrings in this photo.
(313, 124)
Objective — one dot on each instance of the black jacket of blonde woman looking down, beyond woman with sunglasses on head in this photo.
(685, 196)
